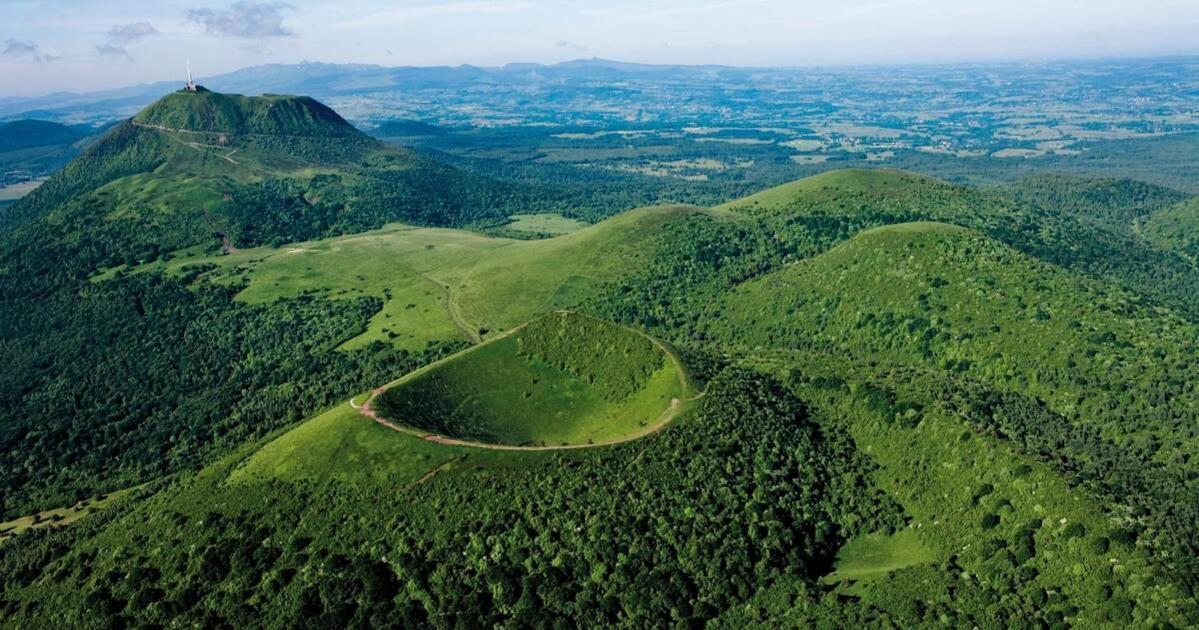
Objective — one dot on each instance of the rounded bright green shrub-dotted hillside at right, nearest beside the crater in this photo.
(1114, 373)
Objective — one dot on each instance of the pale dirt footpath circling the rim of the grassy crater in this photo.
(665, 419)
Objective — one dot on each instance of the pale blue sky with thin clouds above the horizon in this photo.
(89, 45)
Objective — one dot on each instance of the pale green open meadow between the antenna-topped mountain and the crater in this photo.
(439, 284)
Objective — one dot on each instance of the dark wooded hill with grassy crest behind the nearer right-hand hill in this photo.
(1096, 232)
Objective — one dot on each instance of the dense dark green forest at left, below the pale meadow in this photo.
(143, 376)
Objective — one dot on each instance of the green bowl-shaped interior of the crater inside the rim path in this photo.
(559, 381)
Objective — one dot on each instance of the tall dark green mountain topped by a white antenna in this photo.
(227, 171)
